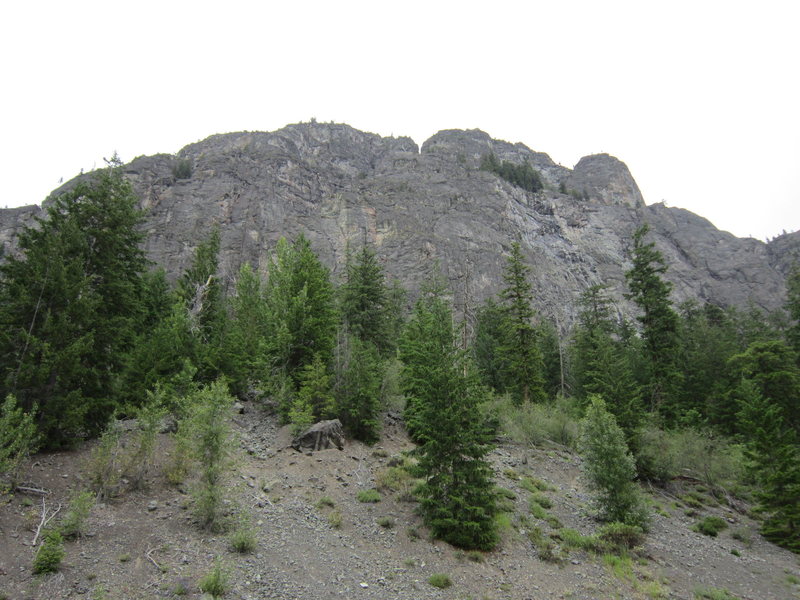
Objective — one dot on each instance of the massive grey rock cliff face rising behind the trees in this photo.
(341, 187)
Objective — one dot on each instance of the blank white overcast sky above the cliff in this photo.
(700, 99)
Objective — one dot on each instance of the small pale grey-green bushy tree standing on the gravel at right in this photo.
(609, 467)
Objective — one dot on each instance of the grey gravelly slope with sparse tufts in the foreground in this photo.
(145, 544)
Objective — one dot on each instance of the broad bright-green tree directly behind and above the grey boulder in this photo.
(300, 306)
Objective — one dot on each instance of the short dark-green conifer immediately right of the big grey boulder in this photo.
(358, 389)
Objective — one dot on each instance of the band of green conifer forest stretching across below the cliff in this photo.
(89, 330)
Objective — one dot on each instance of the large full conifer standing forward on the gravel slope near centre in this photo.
(456, 497)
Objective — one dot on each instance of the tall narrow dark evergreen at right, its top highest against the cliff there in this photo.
(659, 323)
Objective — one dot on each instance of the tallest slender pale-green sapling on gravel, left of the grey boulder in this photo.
(208, 429)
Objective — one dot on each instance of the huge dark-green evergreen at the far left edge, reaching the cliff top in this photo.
(70, 304)
